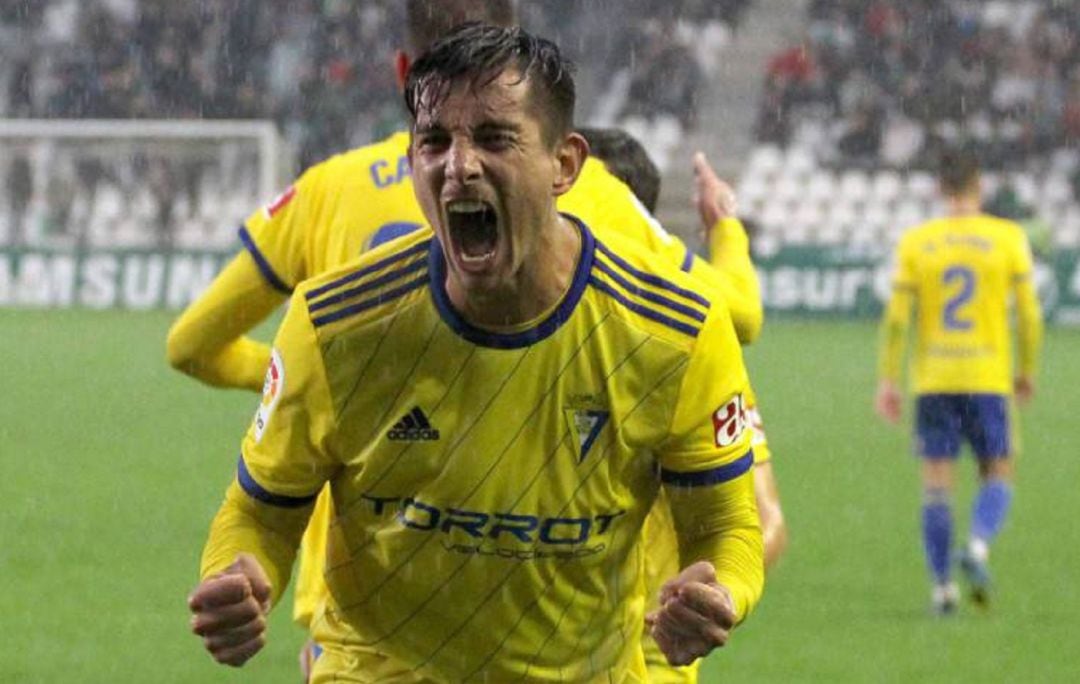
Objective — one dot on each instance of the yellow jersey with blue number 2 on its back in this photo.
(962, 275)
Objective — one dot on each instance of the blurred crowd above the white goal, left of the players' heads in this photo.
(320, 69)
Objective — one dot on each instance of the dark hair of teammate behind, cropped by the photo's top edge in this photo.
(427, 21)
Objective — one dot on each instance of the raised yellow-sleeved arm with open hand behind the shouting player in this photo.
(728, 250)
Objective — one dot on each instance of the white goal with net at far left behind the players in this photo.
(87, 184)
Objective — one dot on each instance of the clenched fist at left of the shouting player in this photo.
(229, 611)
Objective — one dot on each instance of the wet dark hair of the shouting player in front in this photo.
(479, 53)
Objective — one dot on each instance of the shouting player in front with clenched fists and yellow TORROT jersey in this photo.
(453, 391)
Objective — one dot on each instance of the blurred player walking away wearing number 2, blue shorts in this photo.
(961, 274)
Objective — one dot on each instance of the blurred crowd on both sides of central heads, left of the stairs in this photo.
(320, 69)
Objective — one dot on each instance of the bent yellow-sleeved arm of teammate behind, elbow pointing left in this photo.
(208, 340)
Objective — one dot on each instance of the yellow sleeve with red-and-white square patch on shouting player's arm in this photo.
(707, 467)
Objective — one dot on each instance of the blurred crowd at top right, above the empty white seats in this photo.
(880, 83)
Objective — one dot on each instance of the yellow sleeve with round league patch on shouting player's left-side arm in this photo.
(285, 459)
